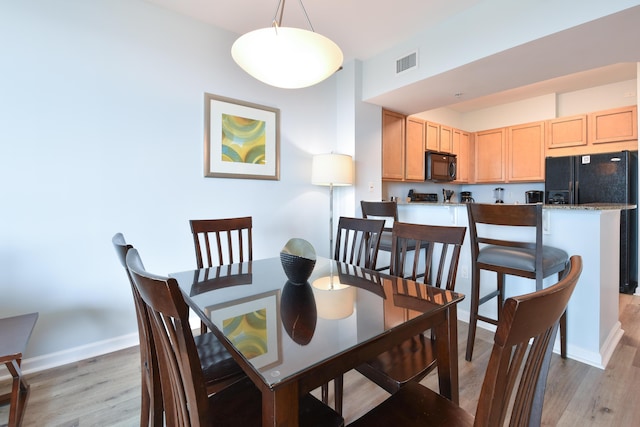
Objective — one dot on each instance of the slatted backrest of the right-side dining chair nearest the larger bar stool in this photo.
(441, 247)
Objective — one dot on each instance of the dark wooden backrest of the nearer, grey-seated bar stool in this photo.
(498, 214)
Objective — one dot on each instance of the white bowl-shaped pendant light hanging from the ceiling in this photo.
(287, 57)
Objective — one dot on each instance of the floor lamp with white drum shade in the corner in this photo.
(331, 170)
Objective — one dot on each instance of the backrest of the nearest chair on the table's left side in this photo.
(183, 388)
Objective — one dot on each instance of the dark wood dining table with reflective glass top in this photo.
(292, 338)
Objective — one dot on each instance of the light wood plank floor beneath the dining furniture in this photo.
(105, 391)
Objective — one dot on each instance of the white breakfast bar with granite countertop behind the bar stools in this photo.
(592, 231)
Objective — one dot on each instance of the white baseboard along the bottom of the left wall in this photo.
(72, 355)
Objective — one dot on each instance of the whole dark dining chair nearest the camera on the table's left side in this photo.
(184, 392)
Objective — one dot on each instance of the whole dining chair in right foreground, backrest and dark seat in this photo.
(516, 375)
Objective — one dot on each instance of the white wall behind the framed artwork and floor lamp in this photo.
(101, 128)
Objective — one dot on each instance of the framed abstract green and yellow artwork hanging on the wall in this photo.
(241, 140)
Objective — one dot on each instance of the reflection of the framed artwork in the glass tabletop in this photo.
(252, 324)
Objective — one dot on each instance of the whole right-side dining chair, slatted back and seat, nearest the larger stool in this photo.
(416, 357)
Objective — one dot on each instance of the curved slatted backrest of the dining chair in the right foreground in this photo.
(527, 317)
